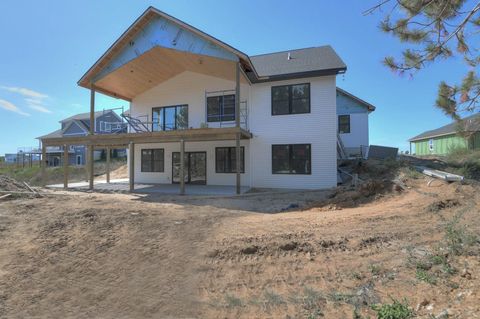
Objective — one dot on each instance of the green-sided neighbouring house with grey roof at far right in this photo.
(442, 140)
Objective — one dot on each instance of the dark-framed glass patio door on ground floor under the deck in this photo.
(195, 168)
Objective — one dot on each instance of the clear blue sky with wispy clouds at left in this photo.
(48, 45)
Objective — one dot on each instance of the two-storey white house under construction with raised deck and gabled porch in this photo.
(205, 99)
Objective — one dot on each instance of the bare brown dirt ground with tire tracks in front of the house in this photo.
(328, 255)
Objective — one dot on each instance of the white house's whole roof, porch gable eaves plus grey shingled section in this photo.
(261, 68)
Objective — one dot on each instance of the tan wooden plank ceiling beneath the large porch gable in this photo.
(159, 65)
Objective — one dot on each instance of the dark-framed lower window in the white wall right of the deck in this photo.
(291, 159)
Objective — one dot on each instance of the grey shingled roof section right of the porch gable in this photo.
(296, 64)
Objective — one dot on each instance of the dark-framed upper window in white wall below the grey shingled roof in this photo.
(291, 99)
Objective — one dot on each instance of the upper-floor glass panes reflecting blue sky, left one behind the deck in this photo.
(170, 118)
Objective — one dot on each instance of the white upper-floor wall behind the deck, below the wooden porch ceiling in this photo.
(186, 88)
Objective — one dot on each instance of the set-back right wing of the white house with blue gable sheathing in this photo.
(352, 115)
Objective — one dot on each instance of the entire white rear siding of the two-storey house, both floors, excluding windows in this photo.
(317, 128)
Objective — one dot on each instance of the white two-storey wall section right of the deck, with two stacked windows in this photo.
(317, 128)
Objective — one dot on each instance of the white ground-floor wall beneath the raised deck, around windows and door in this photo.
(213, 178)
